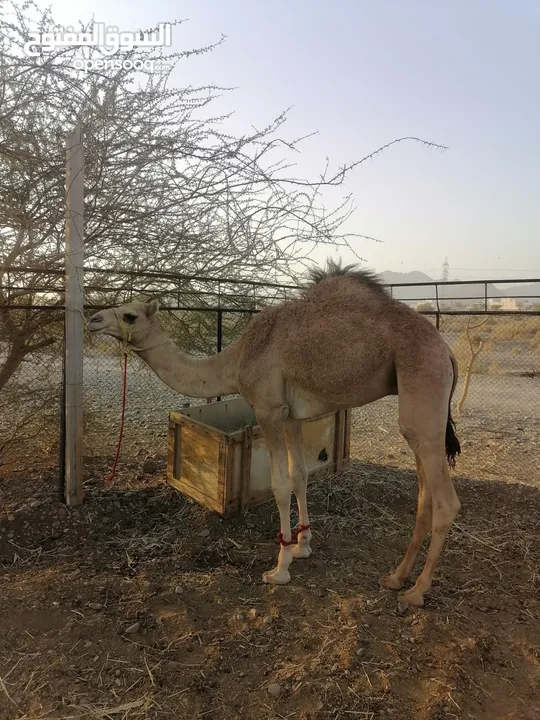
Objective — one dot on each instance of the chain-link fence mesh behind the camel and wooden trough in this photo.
(496, 402)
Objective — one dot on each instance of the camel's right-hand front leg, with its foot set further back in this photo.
(299, 475)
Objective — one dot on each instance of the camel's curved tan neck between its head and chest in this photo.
(195, 377)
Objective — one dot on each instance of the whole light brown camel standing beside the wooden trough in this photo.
(344, 343)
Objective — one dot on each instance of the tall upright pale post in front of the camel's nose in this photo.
(74, 303)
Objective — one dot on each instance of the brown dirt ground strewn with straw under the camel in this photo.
(141, 604)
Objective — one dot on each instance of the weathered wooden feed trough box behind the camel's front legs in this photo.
(217, 454)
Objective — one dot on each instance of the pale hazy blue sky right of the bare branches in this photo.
(361, 73)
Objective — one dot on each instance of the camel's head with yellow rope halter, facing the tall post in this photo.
(136, 318)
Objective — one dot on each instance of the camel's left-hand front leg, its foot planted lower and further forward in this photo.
(272, 427)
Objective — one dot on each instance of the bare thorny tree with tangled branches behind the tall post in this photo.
(166, 187)
